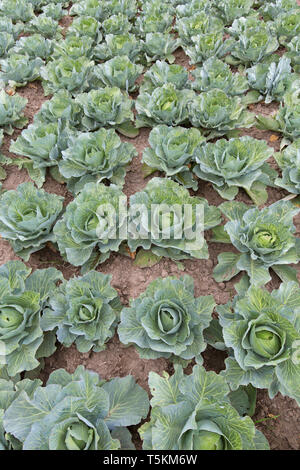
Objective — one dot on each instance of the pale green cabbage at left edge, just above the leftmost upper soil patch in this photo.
(20, 69)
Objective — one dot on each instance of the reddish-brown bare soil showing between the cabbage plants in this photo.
(283, 432)
